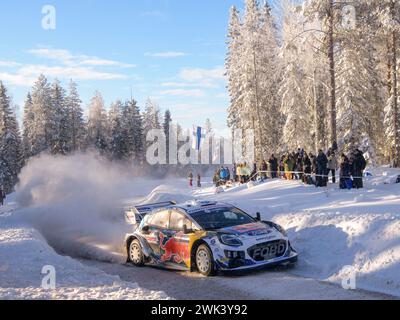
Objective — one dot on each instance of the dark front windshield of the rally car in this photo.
(219, 218)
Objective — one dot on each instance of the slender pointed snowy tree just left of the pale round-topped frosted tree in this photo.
(76, 121)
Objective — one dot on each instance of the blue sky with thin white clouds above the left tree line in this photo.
(170, 50)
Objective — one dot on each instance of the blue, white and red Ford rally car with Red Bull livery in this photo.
(205, 236)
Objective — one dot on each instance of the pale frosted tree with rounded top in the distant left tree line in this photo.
(97, 124)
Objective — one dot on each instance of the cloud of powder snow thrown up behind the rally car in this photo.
(76, 204)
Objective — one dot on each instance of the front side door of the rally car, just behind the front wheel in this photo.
(178, 246)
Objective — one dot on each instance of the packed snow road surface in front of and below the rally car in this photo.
(262, 285)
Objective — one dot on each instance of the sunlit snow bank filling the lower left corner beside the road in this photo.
(23, 254)
